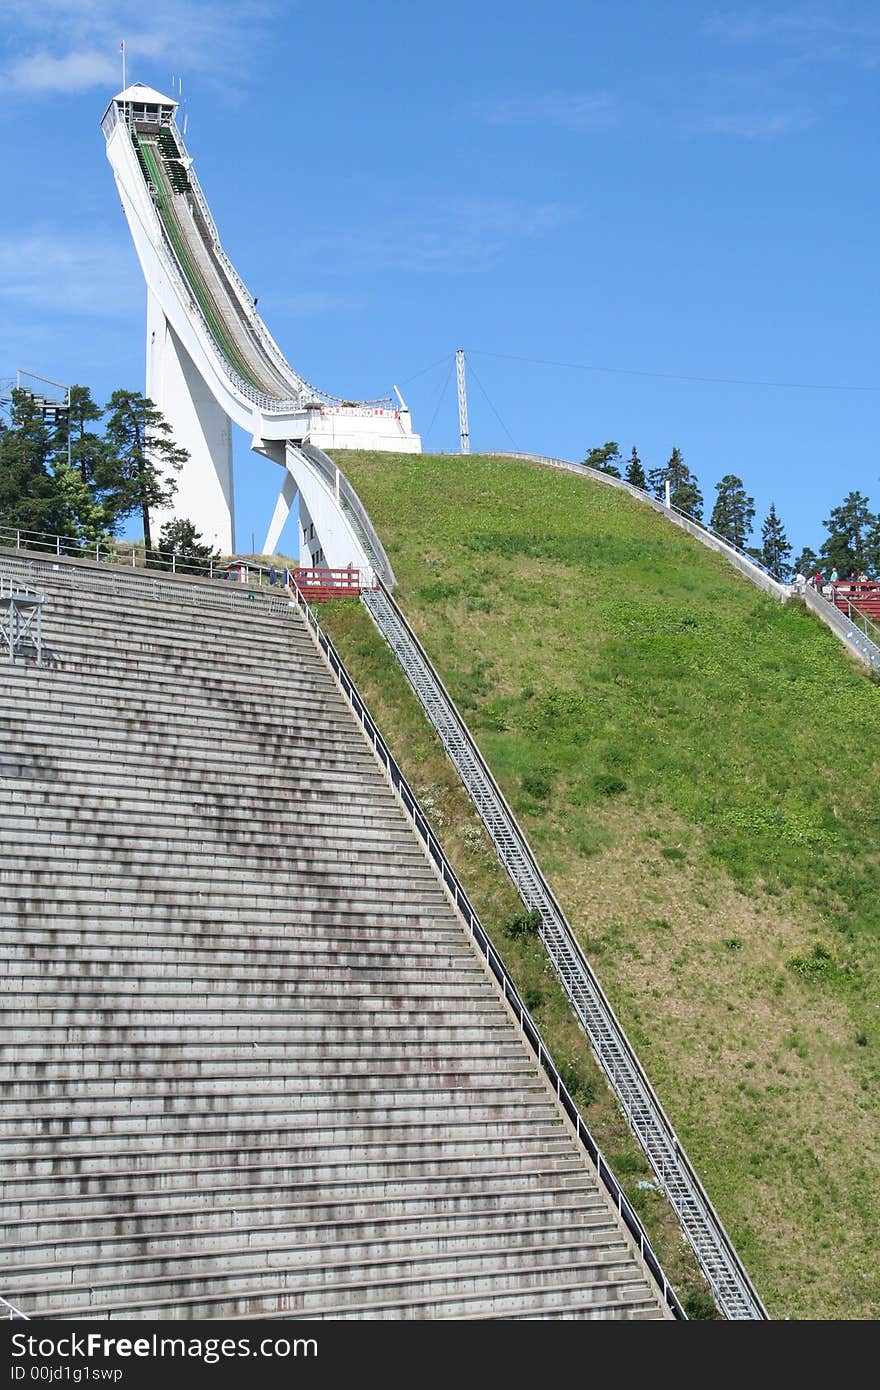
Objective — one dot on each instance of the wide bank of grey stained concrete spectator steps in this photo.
(252, 1065)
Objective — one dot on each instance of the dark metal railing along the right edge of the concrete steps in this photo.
(462, 903)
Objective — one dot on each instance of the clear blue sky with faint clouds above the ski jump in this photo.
(665, 193)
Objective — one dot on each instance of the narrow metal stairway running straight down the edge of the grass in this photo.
(700, 1223)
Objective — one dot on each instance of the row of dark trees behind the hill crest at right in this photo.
(852, 547)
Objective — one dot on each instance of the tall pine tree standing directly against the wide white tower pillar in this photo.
(137, 472)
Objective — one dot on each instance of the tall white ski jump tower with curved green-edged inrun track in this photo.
(212, 361)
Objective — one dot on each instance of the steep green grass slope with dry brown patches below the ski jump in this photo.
(699, 771)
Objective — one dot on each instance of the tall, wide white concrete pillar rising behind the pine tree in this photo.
(205, 493)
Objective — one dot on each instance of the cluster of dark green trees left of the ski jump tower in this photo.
(84, 472)
